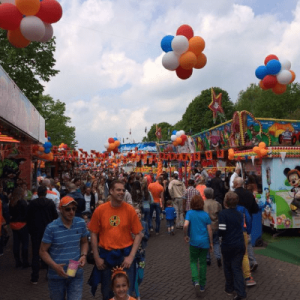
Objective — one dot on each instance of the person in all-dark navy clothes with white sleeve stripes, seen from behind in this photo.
(233, 246)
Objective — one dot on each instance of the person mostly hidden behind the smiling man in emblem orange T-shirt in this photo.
(140, 256)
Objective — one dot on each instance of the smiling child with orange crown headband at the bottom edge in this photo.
(120, 285)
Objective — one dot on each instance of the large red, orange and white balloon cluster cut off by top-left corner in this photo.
(29, 20)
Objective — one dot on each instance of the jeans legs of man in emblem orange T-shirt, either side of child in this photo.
(106, 281)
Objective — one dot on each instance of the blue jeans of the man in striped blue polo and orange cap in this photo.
(72, 287)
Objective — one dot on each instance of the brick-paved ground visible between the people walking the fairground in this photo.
(167, 276)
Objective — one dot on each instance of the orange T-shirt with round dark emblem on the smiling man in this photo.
(115, 225)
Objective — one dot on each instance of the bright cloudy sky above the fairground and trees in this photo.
(109, 57)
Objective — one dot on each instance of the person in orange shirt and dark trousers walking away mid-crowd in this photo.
(157, 191)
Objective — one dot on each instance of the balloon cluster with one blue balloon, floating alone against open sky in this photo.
(183, 52)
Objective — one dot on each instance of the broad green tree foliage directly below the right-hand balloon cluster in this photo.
(266, 104)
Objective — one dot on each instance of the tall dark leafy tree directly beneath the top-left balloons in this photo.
(25, 66)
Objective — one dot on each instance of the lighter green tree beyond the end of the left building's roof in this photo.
(56, 122)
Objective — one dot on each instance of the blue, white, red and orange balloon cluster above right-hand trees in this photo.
(275, 74)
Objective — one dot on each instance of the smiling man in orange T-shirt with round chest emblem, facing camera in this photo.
(112, 226)
